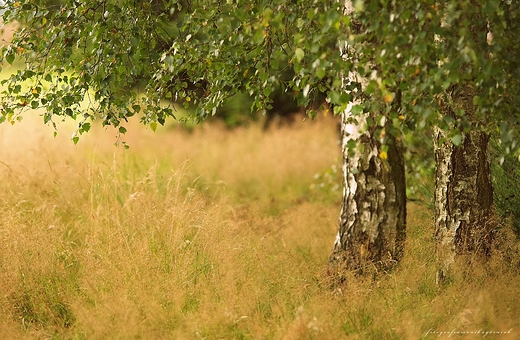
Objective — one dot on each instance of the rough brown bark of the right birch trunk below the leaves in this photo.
(464, 212)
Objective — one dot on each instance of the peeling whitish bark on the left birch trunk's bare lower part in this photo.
(372, 223)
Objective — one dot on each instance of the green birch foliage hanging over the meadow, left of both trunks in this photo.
(87, 59)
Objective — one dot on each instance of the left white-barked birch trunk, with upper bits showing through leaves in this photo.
(372, 221)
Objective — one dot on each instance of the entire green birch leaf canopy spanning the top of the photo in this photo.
(111, 60)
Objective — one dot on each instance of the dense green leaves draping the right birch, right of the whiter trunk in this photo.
(423, 59)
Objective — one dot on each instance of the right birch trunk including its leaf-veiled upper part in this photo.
(464, 212)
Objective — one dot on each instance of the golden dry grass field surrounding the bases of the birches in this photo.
(213, 234)
